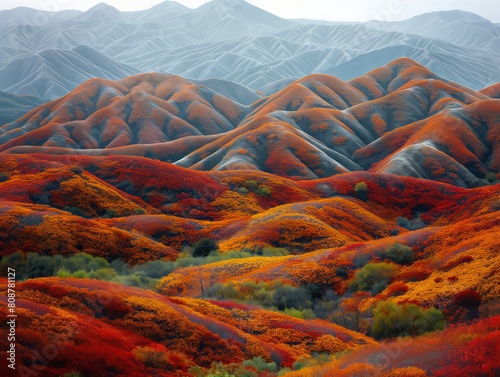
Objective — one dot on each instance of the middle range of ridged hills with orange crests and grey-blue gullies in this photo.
(397, 119)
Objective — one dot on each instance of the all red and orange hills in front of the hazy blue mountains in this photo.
(285, 237)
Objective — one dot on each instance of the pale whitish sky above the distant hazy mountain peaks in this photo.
(333, 10)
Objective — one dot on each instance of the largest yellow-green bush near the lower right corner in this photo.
(393, 320)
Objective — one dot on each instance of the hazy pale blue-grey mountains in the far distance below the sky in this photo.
(234, 41)
